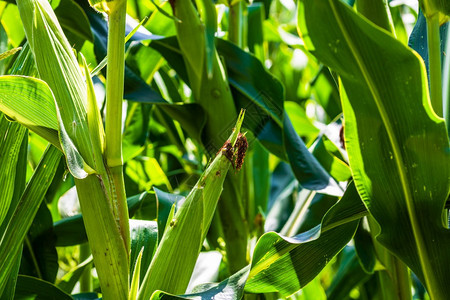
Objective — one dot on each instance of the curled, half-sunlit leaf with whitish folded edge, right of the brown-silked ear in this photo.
(286, 264)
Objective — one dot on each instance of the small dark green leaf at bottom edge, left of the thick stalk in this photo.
(34, 288)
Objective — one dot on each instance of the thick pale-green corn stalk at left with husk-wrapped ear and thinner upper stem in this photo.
(94, 162)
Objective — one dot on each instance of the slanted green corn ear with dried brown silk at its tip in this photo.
(175, 258)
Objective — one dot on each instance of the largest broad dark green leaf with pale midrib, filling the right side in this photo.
(397, 146)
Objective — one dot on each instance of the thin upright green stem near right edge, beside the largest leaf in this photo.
(434, 54)
